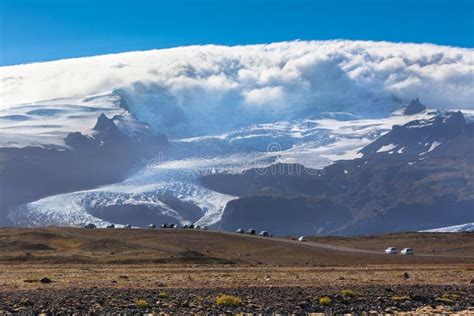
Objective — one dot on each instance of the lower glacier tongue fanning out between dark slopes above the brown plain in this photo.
(147, 187)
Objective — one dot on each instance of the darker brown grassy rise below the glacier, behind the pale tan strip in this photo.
(147, 246)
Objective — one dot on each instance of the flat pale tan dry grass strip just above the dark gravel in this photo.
(197, 276)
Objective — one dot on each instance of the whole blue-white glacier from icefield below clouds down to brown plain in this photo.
(314, 143)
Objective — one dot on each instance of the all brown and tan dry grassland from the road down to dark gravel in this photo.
(170, 258)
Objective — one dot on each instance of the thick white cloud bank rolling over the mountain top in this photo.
(280, 80)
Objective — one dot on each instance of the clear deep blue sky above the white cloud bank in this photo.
(41, 30)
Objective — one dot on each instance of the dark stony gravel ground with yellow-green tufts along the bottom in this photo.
(263, 300)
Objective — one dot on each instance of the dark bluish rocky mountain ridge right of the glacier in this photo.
(421, 186)
